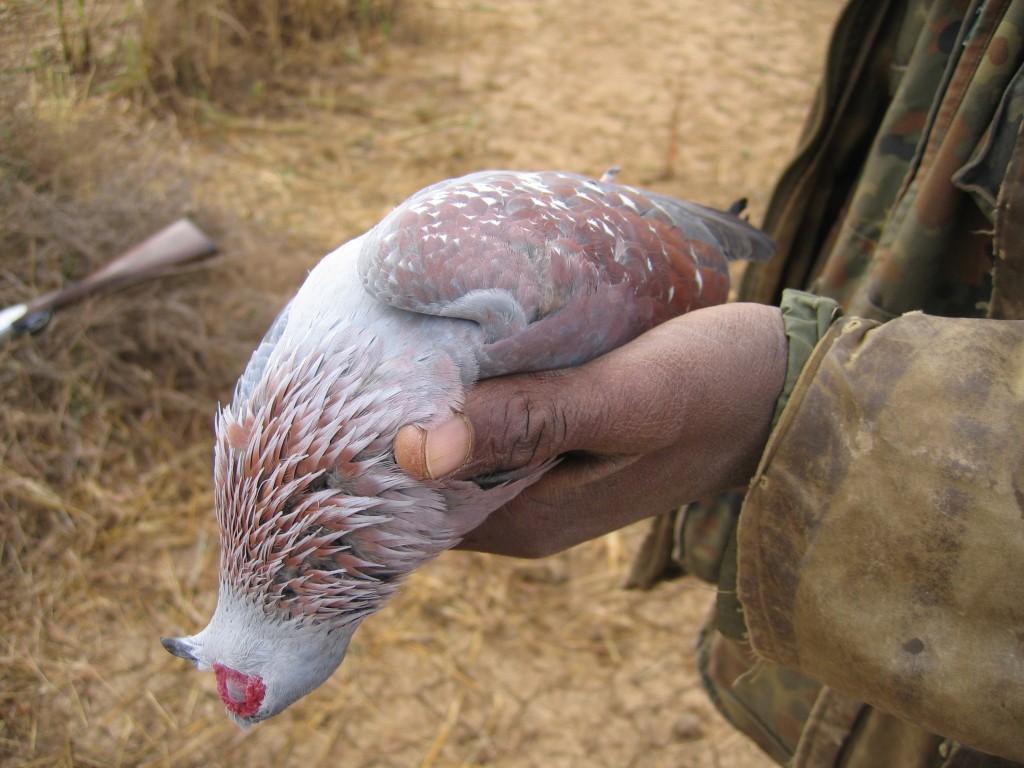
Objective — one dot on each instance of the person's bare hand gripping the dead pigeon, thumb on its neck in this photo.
(681, 412)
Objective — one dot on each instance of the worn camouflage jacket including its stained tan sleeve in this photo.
(879, 556)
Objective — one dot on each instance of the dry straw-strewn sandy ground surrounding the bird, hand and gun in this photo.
(107, 536)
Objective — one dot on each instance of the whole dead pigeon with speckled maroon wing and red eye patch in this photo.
(493, 274)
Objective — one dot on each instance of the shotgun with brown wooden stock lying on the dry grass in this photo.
(174, 246)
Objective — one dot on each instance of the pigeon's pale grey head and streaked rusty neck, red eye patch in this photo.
(318, 526)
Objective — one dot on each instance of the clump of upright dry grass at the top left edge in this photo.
(196, 56)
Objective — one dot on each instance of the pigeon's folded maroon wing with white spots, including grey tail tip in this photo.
(556, 268)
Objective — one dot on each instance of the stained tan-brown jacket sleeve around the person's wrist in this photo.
(881, 547)
